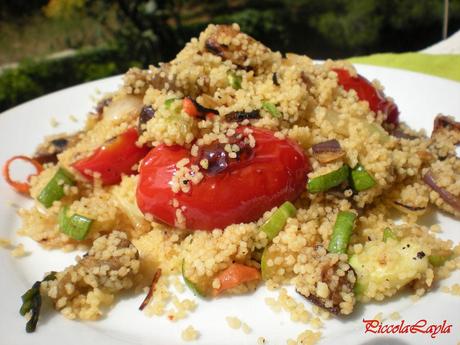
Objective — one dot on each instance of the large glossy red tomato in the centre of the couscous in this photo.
(232, 191)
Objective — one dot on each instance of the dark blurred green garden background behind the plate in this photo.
(46, 45)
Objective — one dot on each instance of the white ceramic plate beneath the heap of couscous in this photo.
(419, 97)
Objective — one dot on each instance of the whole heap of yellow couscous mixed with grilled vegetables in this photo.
(231, 166)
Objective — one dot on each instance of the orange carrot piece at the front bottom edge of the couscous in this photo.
(236, 274)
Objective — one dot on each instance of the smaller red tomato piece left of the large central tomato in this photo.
(116, 157)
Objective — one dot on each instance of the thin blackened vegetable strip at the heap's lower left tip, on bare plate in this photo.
(32, 302)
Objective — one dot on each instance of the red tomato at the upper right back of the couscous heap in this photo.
(367, 92)
